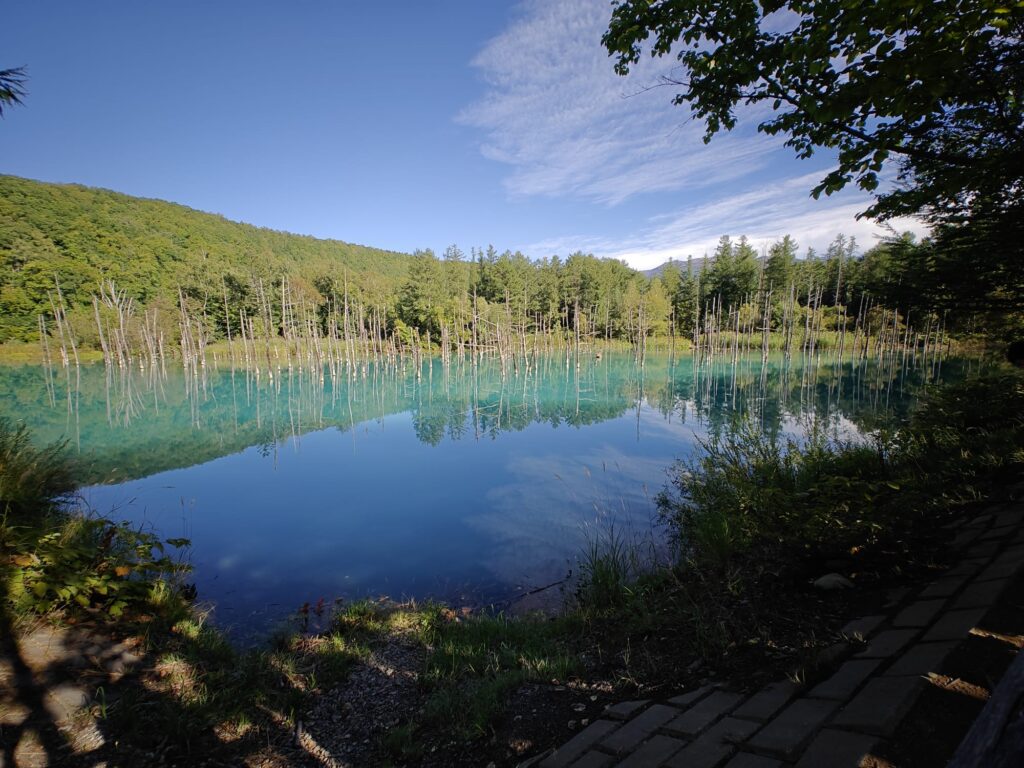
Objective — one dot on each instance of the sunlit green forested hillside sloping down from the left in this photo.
(150, 249)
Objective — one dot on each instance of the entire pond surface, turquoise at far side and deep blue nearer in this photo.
(461, 485)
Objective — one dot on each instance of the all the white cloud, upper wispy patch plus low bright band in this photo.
(568, 126)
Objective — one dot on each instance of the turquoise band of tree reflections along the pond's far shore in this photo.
(136, 423)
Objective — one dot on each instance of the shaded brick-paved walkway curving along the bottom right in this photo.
(842, 720)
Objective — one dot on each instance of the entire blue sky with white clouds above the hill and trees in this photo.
(401, 125)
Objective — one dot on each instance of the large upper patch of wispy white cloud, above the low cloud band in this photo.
(557, 113)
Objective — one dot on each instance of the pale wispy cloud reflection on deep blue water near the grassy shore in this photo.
(537, 524)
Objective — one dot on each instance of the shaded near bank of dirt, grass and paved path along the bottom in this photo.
(372, 704)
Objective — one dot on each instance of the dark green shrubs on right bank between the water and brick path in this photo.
(749, 492)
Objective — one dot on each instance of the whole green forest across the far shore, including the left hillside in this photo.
(72, 246)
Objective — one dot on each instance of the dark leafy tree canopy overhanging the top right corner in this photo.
(937, 83)
